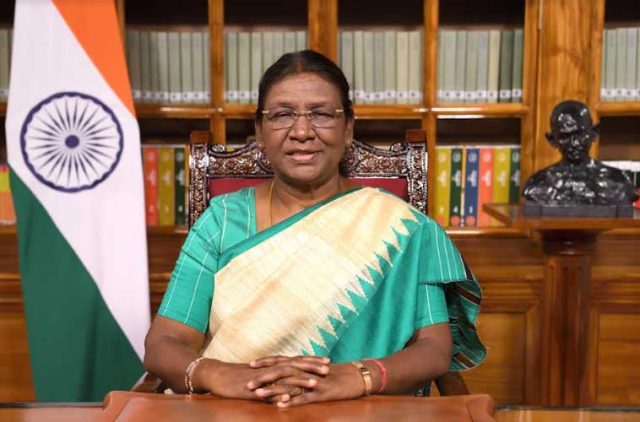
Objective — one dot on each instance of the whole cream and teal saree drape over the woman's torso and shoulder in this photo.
(351, 277)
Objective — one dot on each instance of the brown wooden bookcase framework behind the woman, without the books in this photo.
(562, 47)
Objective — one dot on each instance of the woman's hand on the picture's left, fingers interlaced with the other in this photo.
(248, 381)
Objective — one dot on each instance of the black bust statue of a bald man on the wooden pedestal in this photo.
(577, 185)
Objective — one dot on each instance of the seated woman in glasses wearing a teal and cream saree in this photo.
(309, 288)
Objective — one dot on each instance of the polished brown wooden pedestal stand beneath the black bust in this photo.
(567, 378)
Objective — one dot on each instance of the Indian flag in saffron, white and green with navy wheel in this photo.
(76, 175)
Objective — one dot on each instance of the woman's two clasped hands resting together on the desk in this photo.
(284, 381)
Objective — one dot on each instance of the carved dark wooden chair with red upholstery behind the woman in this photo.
(404, 169)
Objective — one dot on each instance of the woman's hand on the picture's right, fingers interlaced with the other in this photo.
(342, 382)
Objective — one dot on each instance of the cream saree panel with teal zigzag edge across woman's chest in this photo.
(293, 288)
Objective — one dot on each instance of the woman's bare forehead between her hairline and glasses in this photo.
(303, 88)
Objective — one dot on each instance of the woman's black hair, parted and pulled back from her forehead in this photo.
(305, 61)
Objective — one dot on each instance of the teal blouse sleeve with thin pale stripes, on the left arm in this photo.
(190, 291)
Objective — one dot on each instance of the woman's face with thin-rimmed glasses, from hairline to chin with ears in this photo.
(303, 154)
